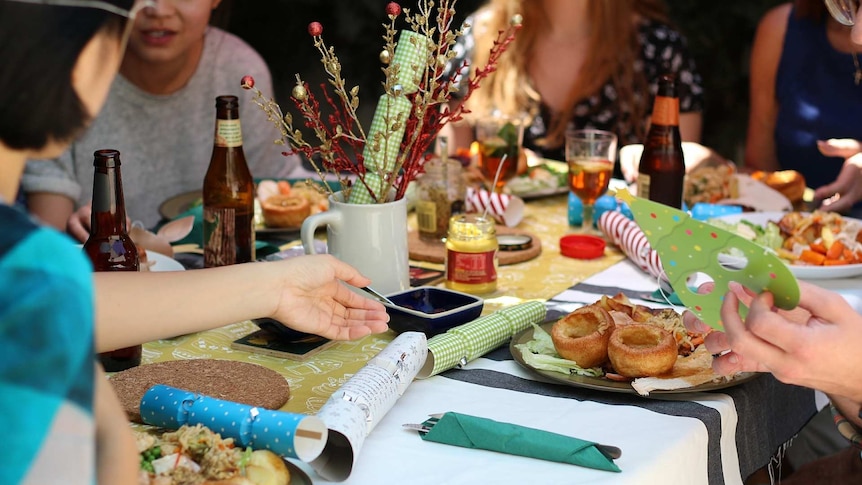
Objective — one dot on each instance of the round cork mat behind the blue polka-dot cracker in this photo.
(229, 380)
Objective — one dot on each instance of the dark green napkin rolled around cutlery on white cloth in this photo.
(486, 434)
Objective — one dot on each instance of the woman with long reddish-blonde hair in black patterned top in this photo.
(582, 64)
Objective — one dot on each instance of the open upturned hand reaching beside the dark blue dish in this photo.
(313, 299)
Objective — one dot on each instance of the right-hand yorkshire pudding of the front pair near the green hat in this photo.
(641, 350)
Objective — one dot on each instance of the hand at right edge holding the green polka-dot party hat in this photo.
(817, 346)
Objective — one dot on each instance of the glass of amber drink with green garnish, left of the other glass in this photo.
(499, 136)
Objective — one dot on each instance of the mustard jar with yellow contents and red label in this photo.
(471, 254)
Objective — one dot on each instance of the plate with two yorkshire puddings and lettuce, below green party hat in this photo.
(616, 345)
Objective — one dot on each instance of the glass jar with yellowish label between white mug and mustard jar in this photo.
(439, 196)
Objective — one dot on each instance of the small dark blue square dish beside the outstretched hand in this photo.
(431, 310)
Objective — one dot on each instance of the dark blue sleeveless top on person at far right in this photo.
(817, 99)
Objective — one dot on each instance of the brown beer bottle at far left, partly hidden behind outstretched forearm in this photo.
(109, 246)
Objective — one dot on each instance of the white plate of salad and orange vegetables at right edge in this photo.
(754, 222)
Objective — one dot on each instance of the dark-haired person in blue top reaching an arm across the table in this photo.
(55, 313)
